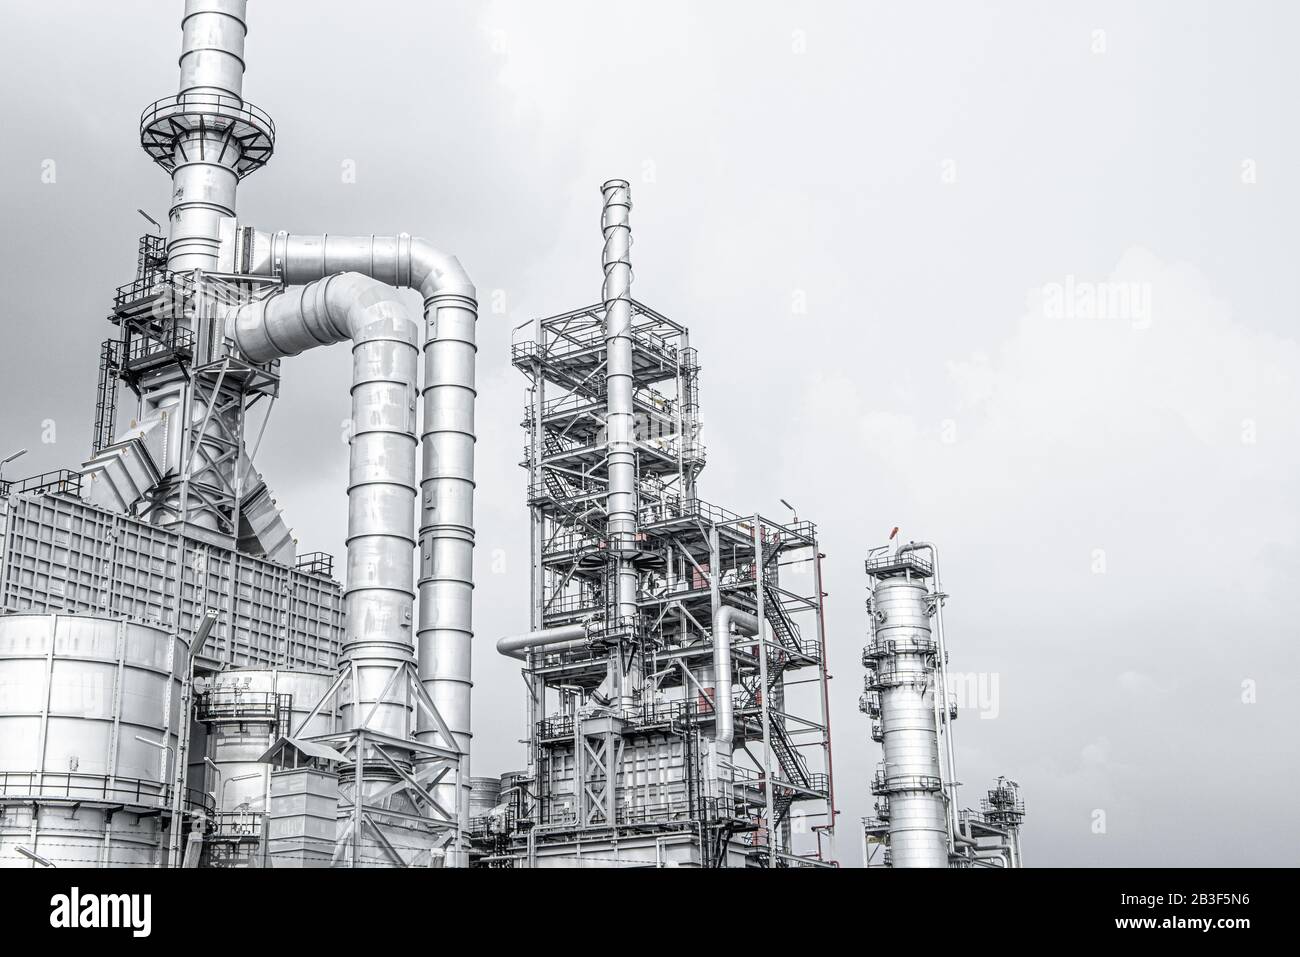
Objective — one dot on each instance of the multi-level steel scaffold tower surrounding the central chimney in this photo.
(627, 767)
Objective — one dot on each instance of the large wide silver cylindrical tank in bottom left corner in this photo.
(89, 716)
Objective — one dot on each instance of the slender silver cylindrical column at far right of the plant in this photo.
(905, 674)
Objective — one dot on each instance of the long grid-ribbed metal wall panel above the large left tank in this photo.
(63, 556)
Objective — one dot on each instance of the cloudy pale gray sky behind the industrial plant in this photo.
(883, 224)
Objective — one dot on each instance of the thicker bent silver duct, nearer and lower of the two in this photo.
(382, 475)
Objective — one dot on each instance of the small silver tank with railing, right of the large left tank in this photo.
(244, 712)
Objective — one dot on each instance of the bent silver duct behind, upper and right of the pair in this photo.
(448, 441)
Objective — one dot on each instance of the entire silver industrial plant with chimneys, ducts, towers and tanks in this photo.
(180, 687)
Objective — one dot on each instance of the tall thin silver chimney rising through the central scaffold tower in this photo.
(621, 503)
